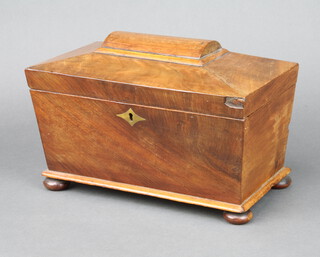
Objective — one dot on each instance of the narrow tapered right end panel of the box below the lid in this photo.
(265, 141)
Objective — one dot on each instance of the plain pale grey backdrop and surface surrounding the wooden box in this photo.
(89, 221)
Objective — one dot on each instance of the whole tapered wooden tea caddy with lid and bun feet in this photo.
(175, 118)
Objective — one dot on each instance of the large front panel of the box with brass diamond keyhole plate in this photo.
(191, 154)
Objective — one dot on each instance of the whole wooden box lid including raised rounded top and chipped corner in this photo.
(167, 72)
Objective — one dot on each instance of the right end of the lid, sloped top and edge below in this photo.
(260, 80)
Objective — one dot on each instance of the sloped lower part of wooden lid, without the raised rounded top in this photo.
(169, 85)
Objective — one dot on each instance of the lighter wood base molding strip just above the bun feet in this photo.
(245, 206)
